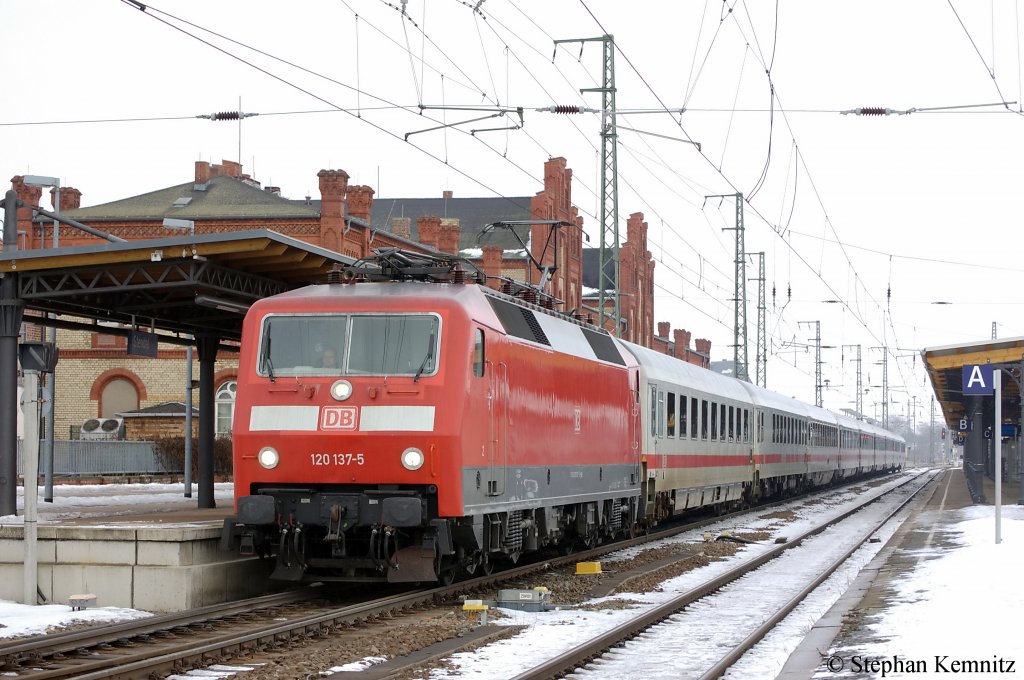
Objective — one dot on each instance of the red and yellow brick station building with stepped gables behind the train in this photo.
(96, 377)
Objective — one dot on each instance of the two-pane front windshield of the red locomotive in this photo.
(350, 345)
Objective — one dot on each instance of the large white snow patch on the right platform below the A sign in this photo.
(960, 604)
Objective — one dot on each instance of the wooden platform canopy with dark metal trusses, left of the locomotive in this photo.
(178, 286)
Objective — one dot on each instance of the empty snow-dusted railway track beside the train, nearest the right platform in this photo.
(590, 656)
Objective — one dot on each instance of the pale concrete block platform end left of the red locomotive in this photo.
(138, 546)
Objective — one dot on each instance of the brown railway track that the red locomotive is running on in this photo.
(173, 644)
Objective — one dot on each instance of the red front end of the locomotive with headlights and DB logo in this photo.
(346, 403)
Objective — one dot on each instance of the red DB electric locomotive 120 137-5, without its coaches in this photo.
(394, 430)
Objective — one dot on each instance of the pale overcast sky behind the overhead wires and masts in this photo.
(867, 223)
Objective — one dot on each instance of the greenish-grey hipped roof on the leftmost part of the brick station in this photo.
(222, 198)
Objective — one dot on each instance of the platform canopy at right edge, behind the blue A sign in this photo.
(946, 366)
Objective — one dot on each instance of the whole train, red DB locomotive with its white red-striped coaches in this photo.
(409, 427)
